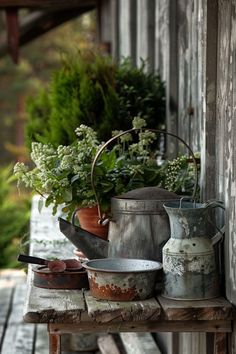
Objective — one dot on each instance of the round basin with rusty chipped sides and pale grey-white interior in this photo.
(122, 279)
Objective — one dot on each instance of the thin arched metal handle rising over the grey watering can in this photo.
(101, 217)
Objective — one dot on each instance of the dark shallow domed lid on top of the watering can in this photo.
(149, 193)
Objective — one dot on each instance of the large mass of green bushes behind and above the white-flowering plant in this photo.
(92, 89)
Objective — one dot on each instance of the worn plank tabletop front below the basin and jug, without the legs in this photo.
(79, 307)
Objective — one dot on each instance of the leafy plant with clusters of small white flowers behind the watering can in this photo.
(62, 175)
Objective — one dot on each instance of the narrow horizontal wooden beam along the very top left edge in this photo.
(56, 4)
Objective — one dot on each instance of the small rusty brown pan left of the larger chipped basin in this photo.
(44, 278)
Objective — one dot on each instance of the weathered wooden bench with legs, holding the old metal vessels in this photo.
(76, 311)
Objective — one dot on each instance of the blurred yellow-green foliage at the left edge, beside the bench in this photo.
(14, 219)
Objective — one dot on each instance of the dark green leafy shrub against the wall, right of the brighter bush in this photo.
(140, 94)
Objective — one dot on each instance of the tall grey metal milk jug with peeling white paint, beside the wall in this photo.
(189, 261)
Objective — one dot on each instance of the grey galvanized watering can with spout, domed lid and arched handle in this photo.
(139, 225)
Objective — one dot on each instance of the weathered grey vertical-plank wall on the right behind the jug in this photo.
(193, 44)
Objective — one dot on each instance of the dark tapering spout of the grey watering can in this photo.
(91, 245)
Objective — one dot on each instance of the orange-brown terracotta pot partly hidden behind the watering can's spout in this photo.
(88, 219)
